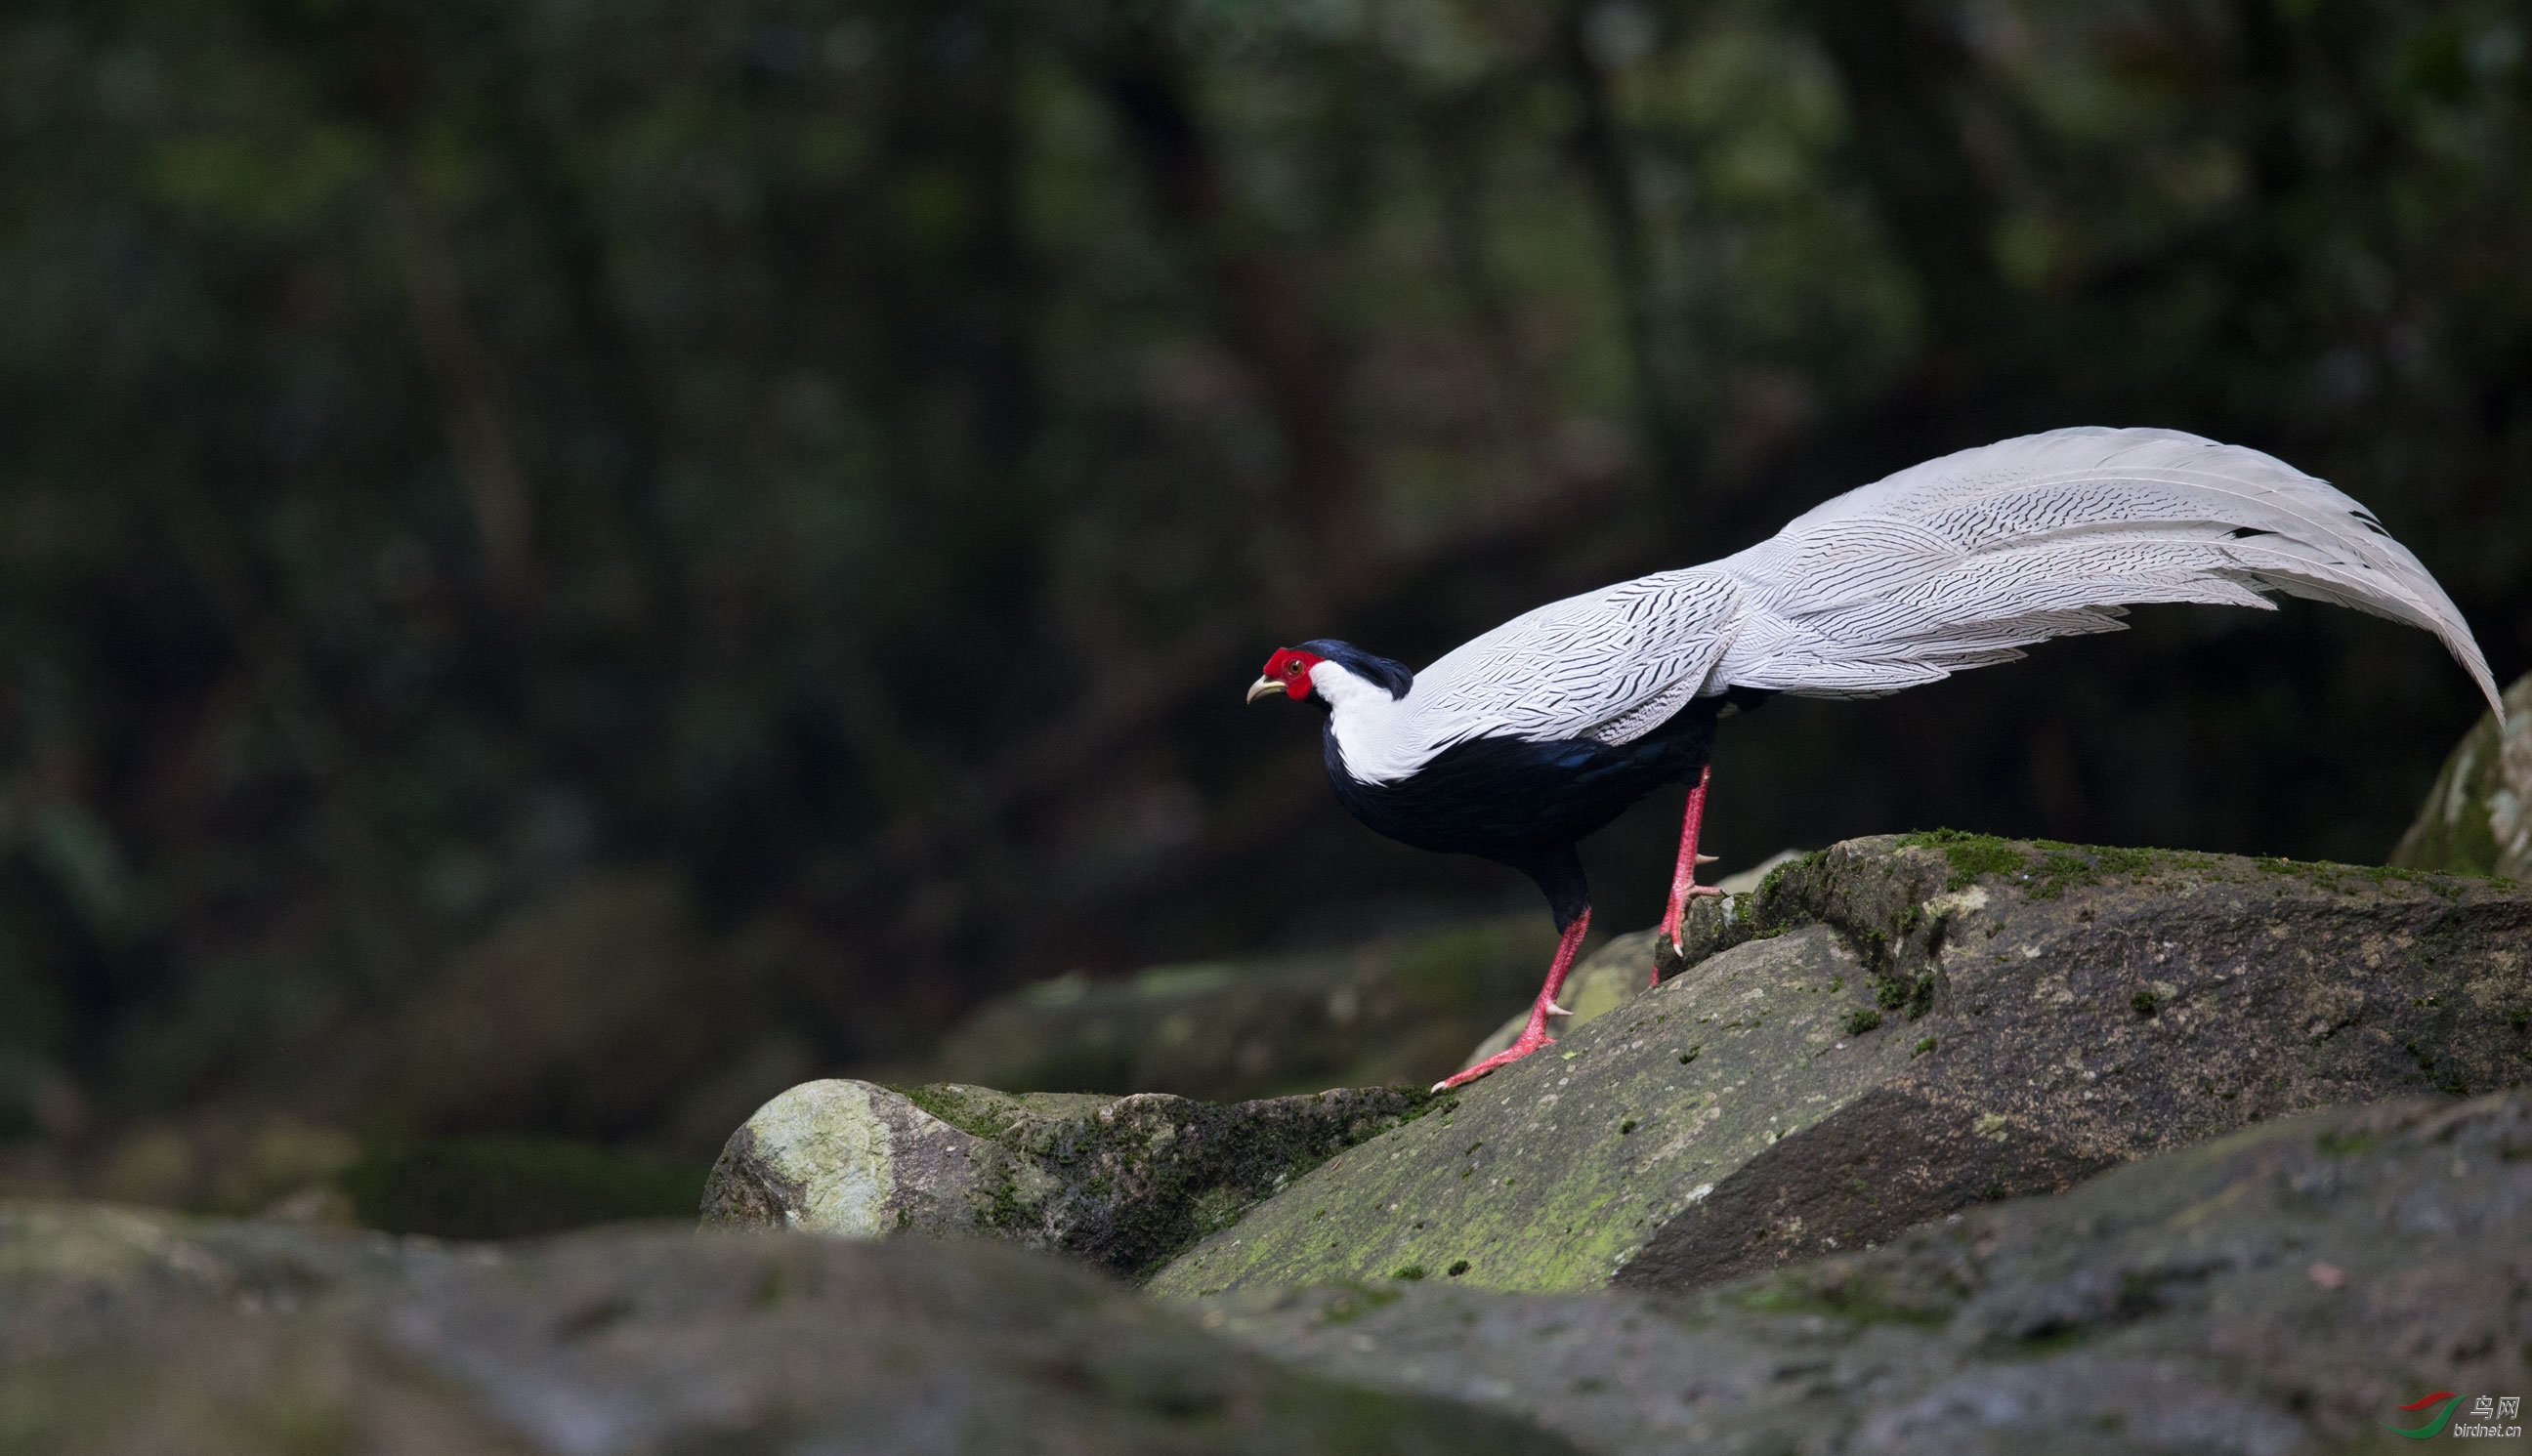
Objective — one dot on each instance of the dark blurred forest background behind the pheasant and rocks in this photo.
(566, 566)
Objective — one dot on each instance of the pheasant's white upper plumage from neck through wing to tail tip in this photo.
(1946, 566)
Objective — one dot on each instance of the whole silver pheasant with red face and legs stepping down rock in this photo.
(1541, 731)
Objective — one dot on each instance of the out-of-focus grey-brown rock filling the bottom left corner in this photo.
(158, 1336)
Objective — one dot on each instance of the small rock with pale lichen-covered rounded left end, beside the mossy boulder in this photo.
(1120, 1181)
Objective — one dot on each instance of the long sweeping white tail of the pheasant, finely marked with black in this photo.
(1964, 561)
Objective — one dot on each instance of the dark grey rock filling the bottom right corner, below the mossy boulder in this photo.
(2275, 1293)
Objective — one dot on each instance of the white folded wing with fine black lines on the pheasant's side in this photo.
(1607, 665)
